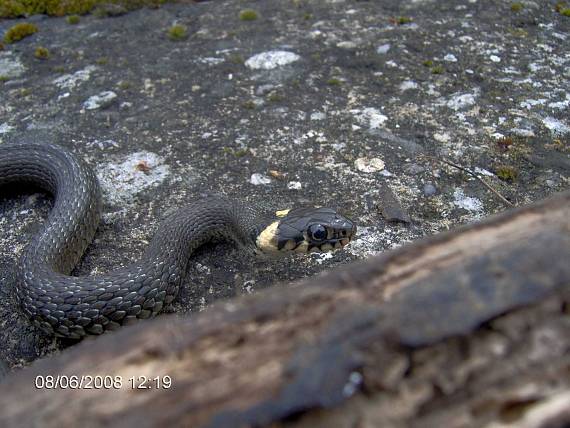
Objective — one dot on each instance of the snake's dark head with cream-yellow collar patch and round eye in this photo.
(304, 230)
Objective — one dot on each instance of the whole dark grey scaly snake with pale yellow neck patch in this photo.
(70, 306)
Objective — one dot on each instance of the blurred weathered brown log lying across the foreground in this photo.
(463, 328)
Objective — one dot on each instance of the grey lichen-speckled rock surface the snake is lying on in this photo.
(473, 81)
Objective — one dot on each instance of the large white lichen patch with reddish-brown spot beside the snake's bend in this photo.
(124, 180)
